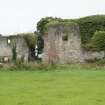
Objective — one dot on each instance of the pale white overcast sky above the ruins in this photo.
(22, 15)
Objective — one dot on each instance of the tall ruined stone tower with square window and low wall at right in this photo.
(62, 44)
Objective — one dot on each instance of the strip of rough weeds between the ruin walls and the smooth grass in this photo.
(34, 66)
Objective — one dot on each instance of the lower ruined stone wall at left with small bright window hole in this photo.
(9, 44)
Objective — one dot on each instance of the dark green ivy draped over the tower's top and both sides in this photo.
(88, 26)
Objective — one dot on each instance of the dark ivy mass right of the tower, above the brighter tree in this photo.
(88, 25)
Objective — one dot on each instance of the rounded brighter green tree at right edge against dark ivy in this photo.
(98, 41)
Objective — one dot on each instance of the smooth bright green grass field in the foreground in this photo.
(58, 87)
